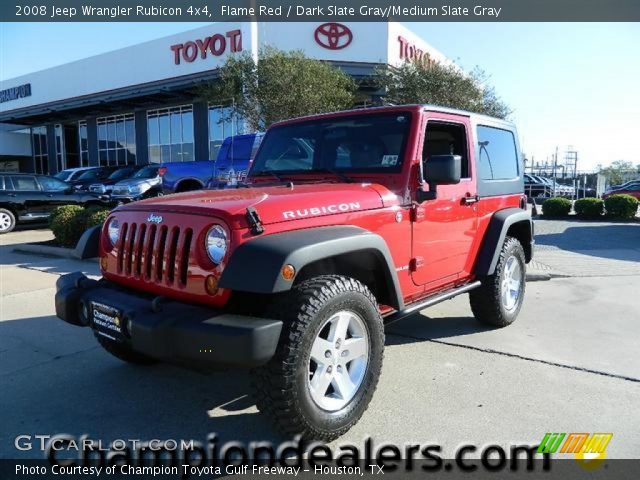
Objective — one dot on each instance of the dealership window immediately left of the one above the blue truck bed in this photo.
(116, 140)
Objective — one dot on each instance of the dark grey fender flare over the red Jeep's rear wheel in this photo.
(495, 235)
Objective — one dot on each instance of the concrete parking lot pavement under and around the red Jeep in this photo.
(569, 363)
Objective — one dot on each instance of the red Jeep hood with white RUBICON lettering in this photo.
(273, 204)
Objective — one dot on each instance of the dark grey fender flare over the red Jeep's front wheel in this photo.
(256, 265)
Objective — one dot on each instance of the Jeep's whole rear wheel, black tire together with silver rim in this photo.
(498, 300)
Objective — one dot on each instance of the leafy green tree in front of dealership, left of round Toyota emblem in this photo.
(280, 85)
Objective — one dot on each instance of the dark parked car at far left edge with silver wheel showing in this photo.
(28, 197)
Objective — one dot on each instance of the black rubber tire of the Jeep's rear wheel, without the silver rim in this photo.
(485, 300)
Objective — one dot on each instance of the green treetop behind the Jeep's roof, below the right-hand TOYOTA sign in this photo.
(441, 84)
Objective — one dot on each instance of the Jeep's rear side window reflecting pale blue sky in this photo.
(497, 155)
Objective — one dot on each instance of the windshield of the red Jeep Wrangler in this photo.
(359, 143)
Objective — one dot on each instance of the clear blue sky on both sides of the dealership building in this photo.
(568, 84)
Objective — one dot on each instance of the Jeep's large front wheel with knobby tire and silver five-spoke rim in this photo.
(327, 365)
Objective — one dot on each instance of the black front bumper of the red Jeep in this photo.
(171, 331)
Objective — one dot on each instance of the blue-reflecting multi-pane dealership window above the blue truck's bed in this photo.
(170, 134)
